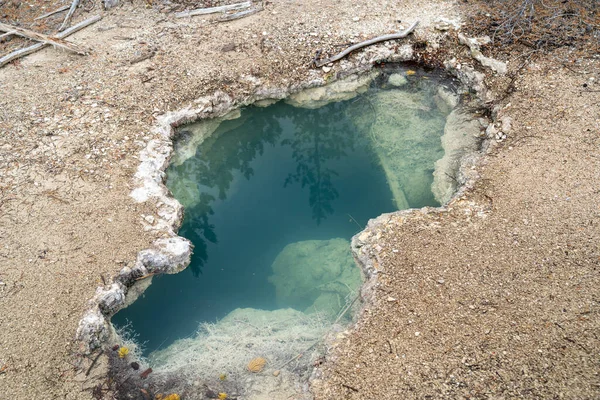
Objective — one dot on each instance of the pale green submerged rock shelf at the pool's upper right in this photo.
(405, 128)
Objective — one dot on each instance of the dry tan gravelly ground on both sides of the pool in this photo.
(495, 297)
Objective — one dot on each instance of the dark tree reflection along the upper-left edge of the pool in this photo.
(212, 170)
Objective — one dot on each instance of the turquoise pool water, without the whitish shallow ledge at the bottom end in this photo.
(273, 196)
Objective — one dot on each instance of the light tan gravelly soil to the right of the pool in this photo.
(498, 296)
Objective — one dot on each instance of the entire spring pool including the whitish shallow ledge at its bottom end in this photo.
(272, 196)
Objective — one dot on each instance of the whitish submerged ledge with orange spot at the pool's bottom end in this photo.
(250, 347)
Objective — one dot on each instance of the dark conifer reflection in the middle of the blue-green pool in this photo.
(321, 134)
